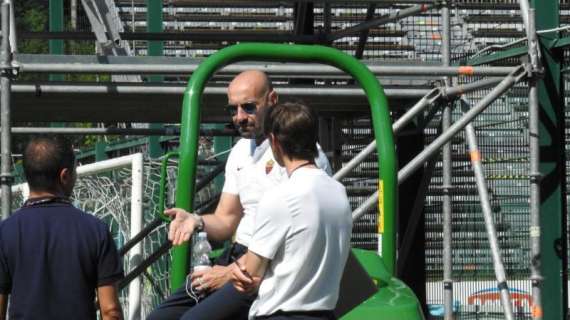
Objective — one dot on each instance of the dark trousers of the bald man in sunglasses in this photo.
(224, 303)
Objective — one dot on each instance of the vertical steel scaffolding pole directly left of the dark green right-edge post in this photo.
(534, 149)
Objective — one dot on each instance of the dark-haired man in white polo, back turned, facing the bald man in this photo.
(302, 228)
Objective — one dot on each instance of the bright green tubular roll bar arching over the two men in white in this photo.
(300, 53)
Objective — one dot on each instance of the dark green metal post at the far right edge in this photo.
(552, 166)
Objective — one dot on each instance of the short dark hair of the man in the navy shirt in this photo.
(45, 156)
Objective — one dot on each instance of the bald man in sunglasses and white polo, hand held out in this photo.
(250, 171)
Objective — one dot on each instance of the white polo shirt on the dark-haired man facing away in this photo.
(304, 228)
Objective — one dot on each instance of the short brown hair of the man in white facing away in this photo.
(294, 126)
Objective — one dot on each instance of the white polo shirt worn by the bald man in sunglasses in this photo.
(250, 171)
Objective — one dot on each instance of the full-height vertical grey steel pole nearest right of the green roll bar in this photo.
(446, 181)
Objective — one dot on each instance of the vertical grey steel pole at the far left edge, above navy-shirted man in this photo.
(5, 172)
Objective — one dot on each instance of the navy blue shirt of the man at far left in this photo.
(52, 259)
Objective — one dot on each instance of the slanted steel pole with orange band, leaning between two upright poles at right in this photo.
(475, 155)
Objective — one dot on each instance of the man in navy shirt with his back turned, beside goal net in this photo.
(54, 258)
